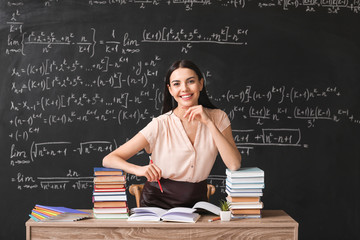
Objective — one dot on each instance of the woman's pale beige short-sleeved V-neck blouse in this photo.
(172, 151)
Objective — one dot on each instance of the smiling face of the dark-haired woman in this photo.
(185, 87)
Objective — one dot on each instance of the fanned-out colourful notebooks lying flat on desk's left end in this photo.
(41, 213)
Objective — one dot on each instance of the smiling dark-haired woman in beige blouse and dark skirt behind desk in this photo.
(184, 142)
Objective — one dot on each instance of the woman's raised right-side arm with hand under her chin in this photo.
(223, 140)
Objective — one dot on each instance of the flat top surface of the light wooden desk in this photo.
(270, 218)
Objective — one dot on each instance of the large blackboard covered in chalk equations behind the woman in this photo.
(79, 78)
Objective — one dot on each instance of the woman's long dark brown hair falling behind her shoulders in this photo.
(169, 102)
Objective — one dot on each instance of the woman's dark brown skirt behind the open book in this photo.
(175, 194)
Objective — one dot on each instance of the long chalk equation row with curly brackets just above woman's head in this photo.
(119, 42)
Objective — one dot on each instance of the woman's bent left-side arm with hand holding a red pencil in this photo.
(118, 159)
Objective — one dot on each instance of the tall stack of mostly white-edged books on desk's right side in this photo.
(244, 189)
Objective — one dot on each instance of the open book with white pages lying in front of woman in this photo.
(178, 214)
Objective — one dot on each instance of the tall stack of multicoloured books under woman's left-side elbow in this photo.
(109, 195)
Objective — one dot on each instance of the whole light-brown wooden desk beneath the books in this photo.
(275, 224)
